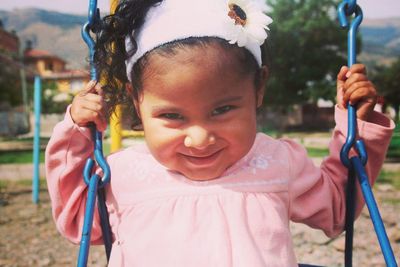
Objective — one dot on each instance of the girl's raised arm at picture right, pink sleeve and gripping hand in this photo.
(317, 195)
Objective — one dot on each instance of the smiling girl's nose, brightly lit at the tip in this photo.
(198, 137)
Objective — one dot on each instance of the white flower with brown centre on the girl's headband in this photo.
(248, 22)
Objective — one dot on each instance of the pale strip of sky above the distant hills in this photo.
(371, 8)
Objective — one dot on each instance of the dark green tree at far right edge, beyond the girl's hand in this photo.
(387, 80)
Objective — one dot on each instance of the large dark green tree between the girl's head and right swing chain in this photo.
(306, 47)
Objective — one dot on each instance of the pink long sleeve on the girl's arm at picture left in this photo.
(66, 154)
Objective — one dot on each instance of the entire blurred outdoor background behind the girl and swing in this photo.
(305, 50)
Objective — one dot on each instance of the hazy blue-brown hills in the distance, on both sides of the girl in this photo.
(59, 33)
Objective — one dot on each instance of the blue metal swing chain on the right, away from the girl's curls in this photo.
(356, 164)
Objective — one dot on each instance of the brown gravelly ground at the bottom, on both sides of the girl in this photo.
(29, 237)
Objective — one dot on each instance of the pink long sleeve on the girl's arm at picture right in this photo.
(317, 194)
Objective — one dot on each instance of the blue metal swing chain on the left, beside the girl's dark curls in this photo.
(95, 182)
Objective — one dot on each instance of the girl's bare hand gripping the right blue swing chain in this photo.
(354, 87)
